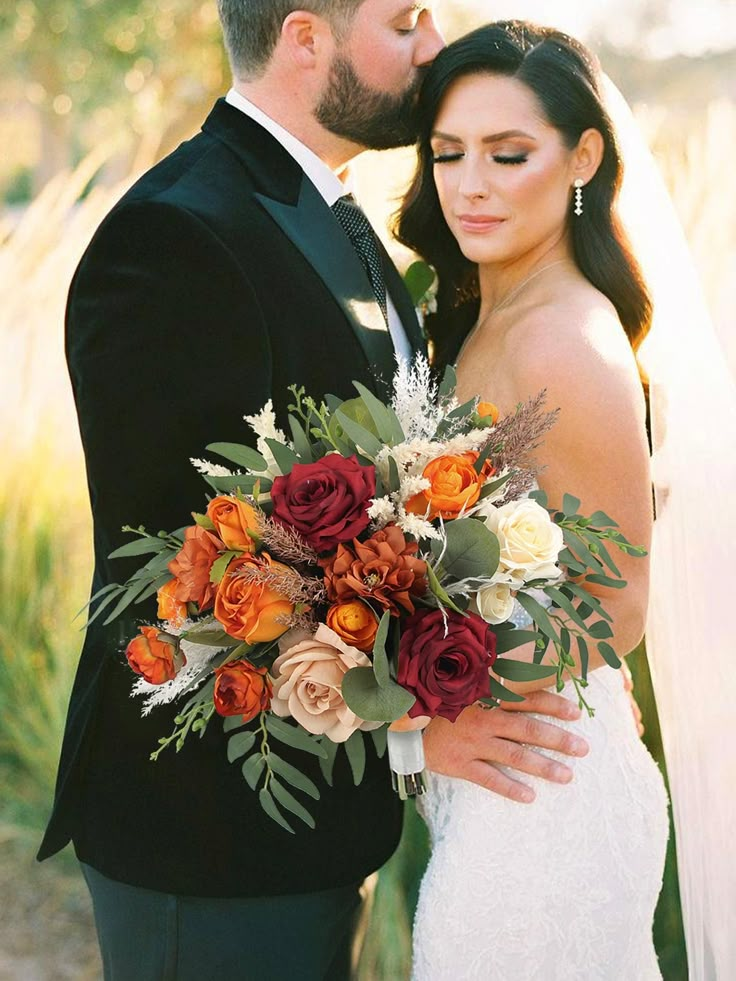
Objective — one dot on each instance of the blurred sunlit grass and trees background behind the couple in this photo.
(91, 93)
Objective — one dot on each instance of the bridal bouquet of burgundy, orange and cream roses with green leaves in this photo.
(373, 564)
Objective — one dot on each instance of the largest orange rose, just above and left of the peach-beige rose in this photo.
(253, 610)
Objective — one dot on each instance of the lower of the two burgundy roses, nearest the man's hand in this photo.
(446, 670)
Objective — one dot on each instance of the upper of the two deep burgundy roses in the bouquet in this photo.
(327, 502)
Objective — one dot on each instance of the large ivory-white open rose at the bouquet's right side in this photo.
(530, 541)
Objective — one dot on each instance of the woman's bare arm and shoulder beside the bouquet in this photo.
(597, 450)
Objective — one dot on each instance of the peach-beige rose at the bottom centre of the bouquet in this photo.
(308, 685)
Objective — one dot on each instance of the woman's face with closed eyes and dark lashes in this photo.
(503, 173)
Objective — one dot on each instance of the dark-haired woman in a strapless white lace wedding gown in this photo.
(513, 203)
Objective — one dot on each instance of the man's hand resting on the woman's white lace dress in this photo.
(480, 740)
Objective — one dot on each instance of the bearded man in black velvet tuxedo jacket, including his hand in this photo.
(223, 276)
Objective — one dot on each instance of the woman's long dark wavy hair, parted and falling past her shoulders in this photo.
(565, 78)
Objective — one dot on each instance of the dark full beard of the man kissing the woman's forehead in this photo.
(373, 119)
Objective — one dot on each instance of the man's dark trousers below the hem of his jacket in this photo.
(153, 936)
